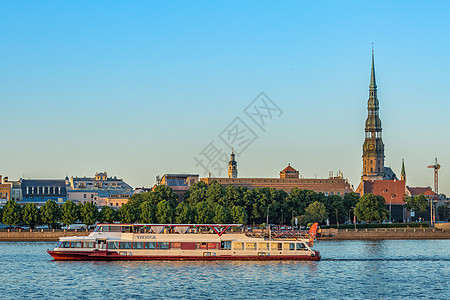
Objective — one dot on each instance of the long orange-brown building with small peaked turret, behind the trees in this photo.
(289, 179)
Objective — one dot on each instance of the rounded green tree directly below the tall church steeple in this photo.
(371, 208)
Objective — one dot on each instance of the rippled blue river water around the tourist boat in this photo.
(394, 269)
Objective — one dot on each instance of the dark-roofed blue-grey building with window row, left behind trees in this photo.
(38, 191)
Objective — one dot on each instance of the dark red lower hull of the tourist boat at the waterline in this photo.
(110, 255)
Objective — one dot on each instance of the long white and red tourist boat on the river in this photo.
(185, 242)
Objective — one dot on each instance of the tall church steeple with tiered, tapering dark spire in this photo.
(373, 147)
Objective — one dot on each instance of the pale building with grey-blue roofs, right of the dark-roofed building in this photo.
(96, 189)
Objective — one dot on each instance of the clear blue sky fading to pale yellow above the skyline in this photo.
(139, 88)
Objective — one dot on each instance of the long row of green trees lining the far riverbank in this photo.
(213, 204)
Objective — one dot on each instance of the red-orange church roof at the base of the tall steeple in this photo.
(393, 191)
